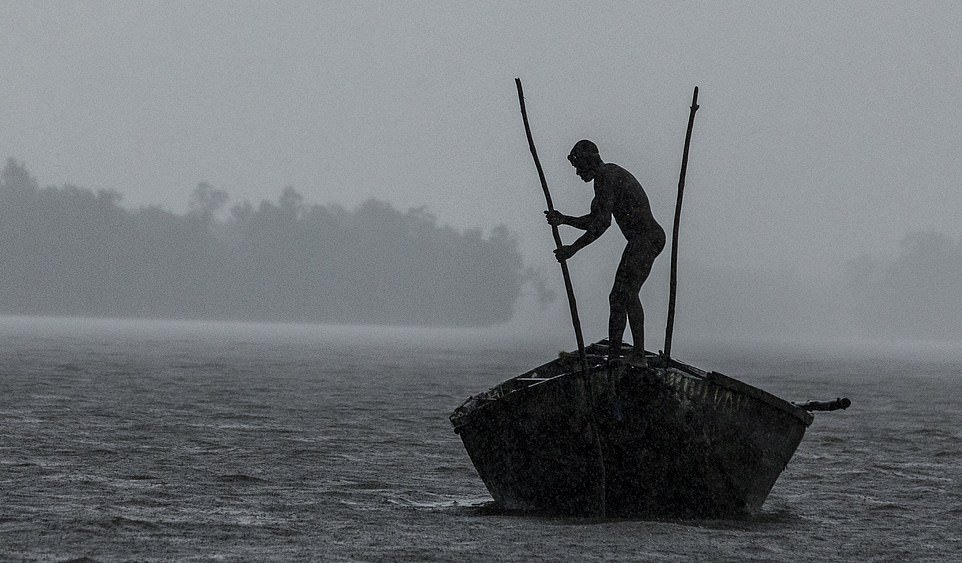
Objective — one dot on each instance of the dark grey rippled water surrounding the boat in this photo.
(191, 442)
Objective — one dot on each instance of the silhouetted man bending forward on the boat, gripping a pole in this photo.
(617, 193)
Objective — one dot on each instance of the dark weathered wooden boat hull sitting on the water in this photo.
(667, 440)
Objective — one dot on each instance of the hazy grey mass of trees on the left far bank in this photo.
(73, 251)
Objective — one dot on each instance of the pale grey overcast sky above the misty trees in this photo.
(825, 130)
